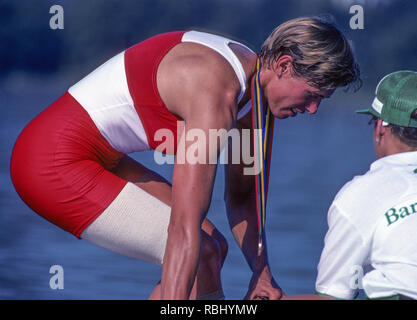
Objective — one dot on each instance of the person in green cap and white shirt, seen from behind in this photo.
(371, 242)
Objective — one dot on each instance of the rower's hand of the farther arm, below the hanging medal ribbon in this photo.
(262, 286)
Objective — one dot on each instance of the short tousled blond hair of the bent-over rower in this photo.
(321, 54)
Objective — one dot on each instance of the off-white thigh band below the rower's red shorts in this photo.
(135, 224)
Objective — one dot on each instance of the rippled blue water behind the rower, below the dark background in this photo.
(313, 156)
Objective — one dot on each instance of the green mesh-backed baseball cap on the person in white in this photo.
(396, 99)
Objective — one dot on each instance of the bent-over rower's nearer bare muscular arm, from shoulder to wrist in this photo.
(201, 95)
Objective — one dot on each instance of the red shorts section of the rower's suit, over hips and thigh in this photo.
(61, 166)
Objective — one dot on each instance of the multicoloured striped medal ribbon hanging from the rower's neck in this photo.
(263, 127)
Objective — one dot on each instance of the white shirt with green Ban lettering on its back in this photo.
(373, 232)
